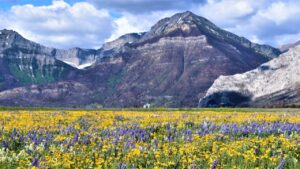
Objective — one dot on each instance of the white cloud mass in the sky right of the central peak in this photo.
(273, 22)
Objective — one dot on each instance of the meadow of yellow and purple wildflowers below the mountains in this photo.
(134, 139)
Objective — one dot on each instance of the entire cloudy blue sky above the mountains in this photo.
(90, 23)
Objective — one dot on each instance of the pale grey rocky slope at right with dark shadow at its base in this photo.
(273, 84)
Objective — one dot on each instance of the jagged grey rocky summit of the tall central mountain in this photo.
(188, 24)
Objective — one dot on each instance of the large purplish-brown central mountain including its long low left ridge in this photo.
(172, 65)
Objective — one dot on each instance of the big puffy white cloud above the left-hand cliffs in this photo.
(60, 24)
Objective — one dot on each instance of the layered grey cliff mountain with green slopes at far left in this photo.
(23, 62)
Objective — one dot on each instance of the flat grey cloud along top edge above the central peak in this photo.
(144, 6)
